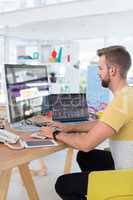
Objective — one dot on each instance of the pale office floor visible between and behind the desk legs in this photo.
(44, 184)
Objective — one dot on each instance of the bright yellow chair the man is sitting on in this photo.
(110, 185)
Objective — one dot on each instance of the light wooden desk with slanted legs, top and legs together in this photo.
(20, 158)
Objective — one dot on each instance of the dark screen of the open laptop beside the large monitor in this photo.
(69, 107)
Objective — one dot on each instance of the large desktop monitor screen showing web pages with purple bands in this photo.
(27, 87)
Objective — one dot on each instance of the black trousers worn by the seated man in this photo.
(74, 186)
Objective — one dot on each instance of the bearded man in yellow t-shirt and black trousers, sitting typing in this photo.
(116, 124)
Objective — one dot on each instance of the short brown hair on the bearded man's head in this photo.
(117, 55)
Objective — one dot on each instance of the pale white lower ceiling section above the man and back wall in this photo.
(74, 20)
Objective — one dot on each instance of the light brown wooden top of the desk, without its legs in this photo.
(11, 158)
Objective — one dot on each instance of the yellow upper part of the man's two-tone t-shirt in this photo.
(119, 114)
